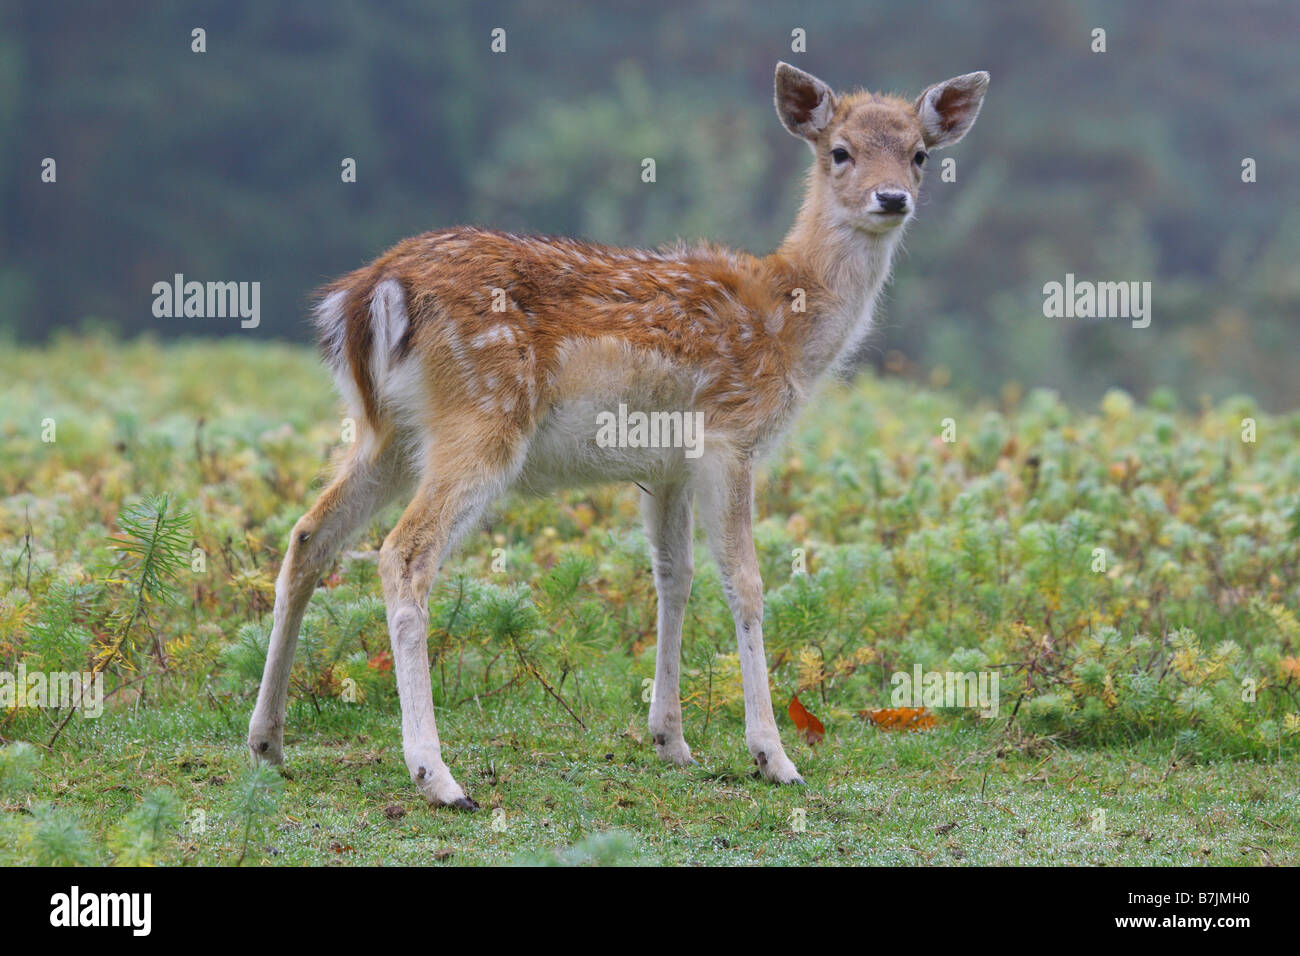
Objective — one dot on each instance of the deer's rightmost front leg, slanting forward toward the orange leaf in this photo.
(731, 533)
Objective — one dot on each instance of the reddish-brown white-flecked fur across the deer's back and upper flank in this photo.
(560, 291)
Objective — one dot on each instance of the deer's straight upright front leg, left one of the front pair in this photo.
(668, 520)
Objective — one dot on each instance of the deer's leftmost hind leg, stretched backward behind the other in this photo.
(367, 481)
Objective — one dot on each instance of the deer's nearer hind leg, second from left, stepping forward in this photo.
(465, 478)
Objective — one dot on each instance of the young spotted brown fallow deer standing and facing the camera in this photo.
(478, 362)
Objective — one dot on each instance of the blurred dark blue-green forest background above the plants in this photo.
(226, 166)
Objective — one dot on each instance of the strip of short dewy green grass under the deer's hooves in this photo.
(553, 794)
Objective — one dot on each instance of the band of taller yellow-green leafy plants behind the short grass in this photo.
(981, 555)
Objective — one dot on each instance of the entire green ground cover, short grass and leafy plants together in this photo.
(1132, 574)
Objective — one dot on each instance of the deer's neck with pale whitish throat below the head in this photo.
(843, 271)
